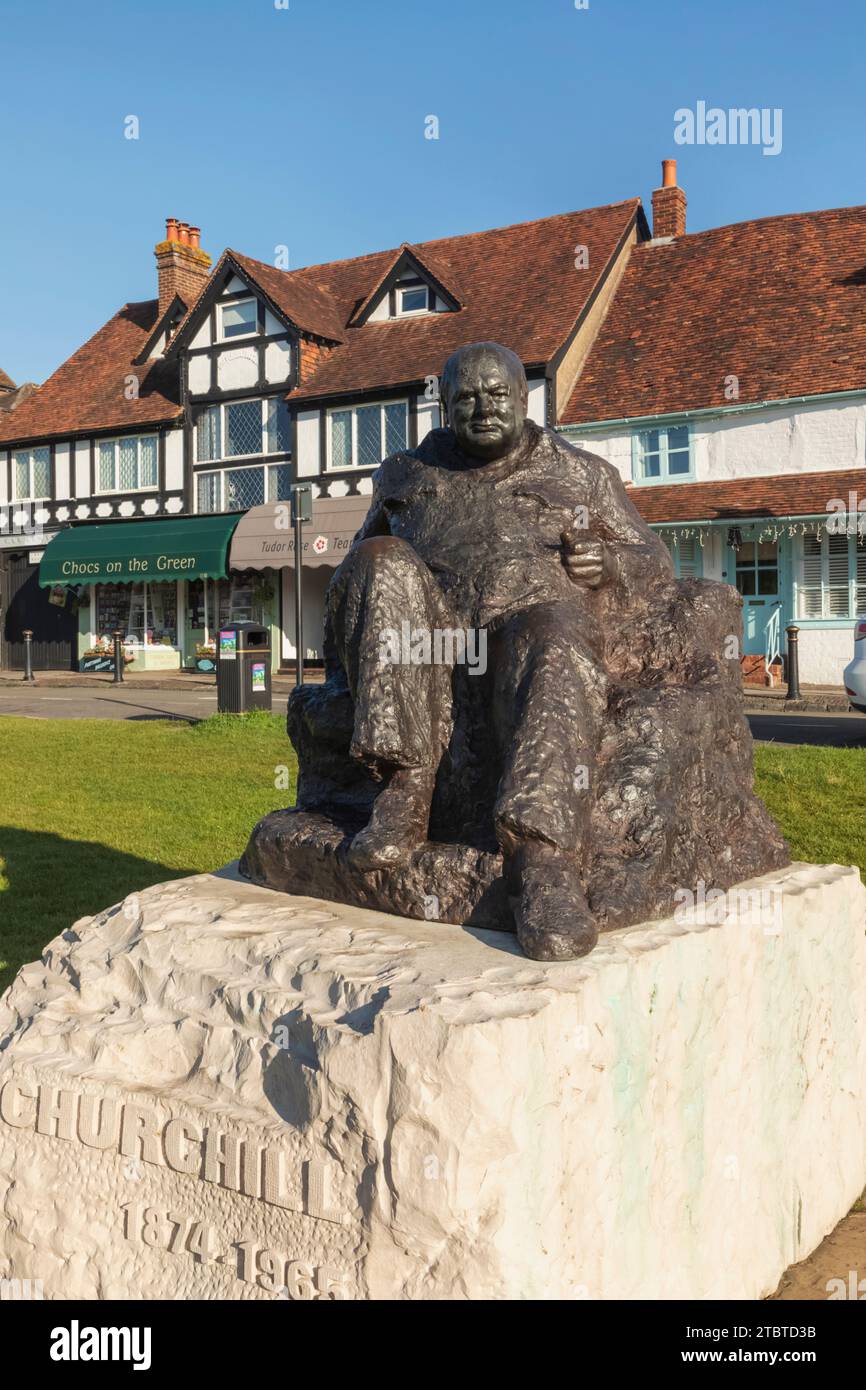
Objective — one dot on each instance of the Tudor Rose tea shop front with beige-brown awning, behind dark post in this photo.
(265, 544)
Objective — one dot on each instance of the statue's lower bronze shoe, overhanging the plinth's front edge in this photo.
(553, 915)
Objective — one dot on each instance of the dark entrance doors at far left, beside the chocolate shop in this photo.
(54, 625)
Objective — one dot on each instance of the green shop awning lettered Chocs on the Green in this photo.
(127, 553)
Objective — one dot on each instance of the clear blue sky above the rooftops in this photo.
(305, 127)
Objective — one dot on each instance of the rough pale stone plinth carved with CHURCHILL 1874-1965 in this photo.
(219, 1092)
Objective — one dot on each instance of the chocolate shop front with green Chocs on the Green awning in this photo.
(165, 584)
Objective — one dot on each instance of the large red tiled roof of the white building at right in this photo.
(779, 302)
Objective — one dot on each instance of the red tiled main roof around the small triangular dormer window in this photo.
(519, 286)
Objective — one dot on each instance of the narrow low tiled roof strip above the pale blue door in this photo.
(785, 496)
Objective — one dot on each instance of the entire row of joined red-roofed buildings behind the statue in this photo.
(724, 373)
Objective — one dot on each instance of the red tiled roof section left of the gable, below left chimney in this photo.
(88, 393)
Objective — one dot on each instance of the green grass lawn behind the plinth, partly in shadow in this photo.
(94, 810)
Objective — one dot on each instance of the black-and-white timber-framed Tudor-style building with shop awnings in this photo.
(212, 400)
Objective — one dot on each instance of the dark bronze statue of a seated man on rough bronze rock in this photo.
(528, 722)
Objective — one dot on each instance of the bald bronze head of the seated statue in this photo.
(484, 393)
